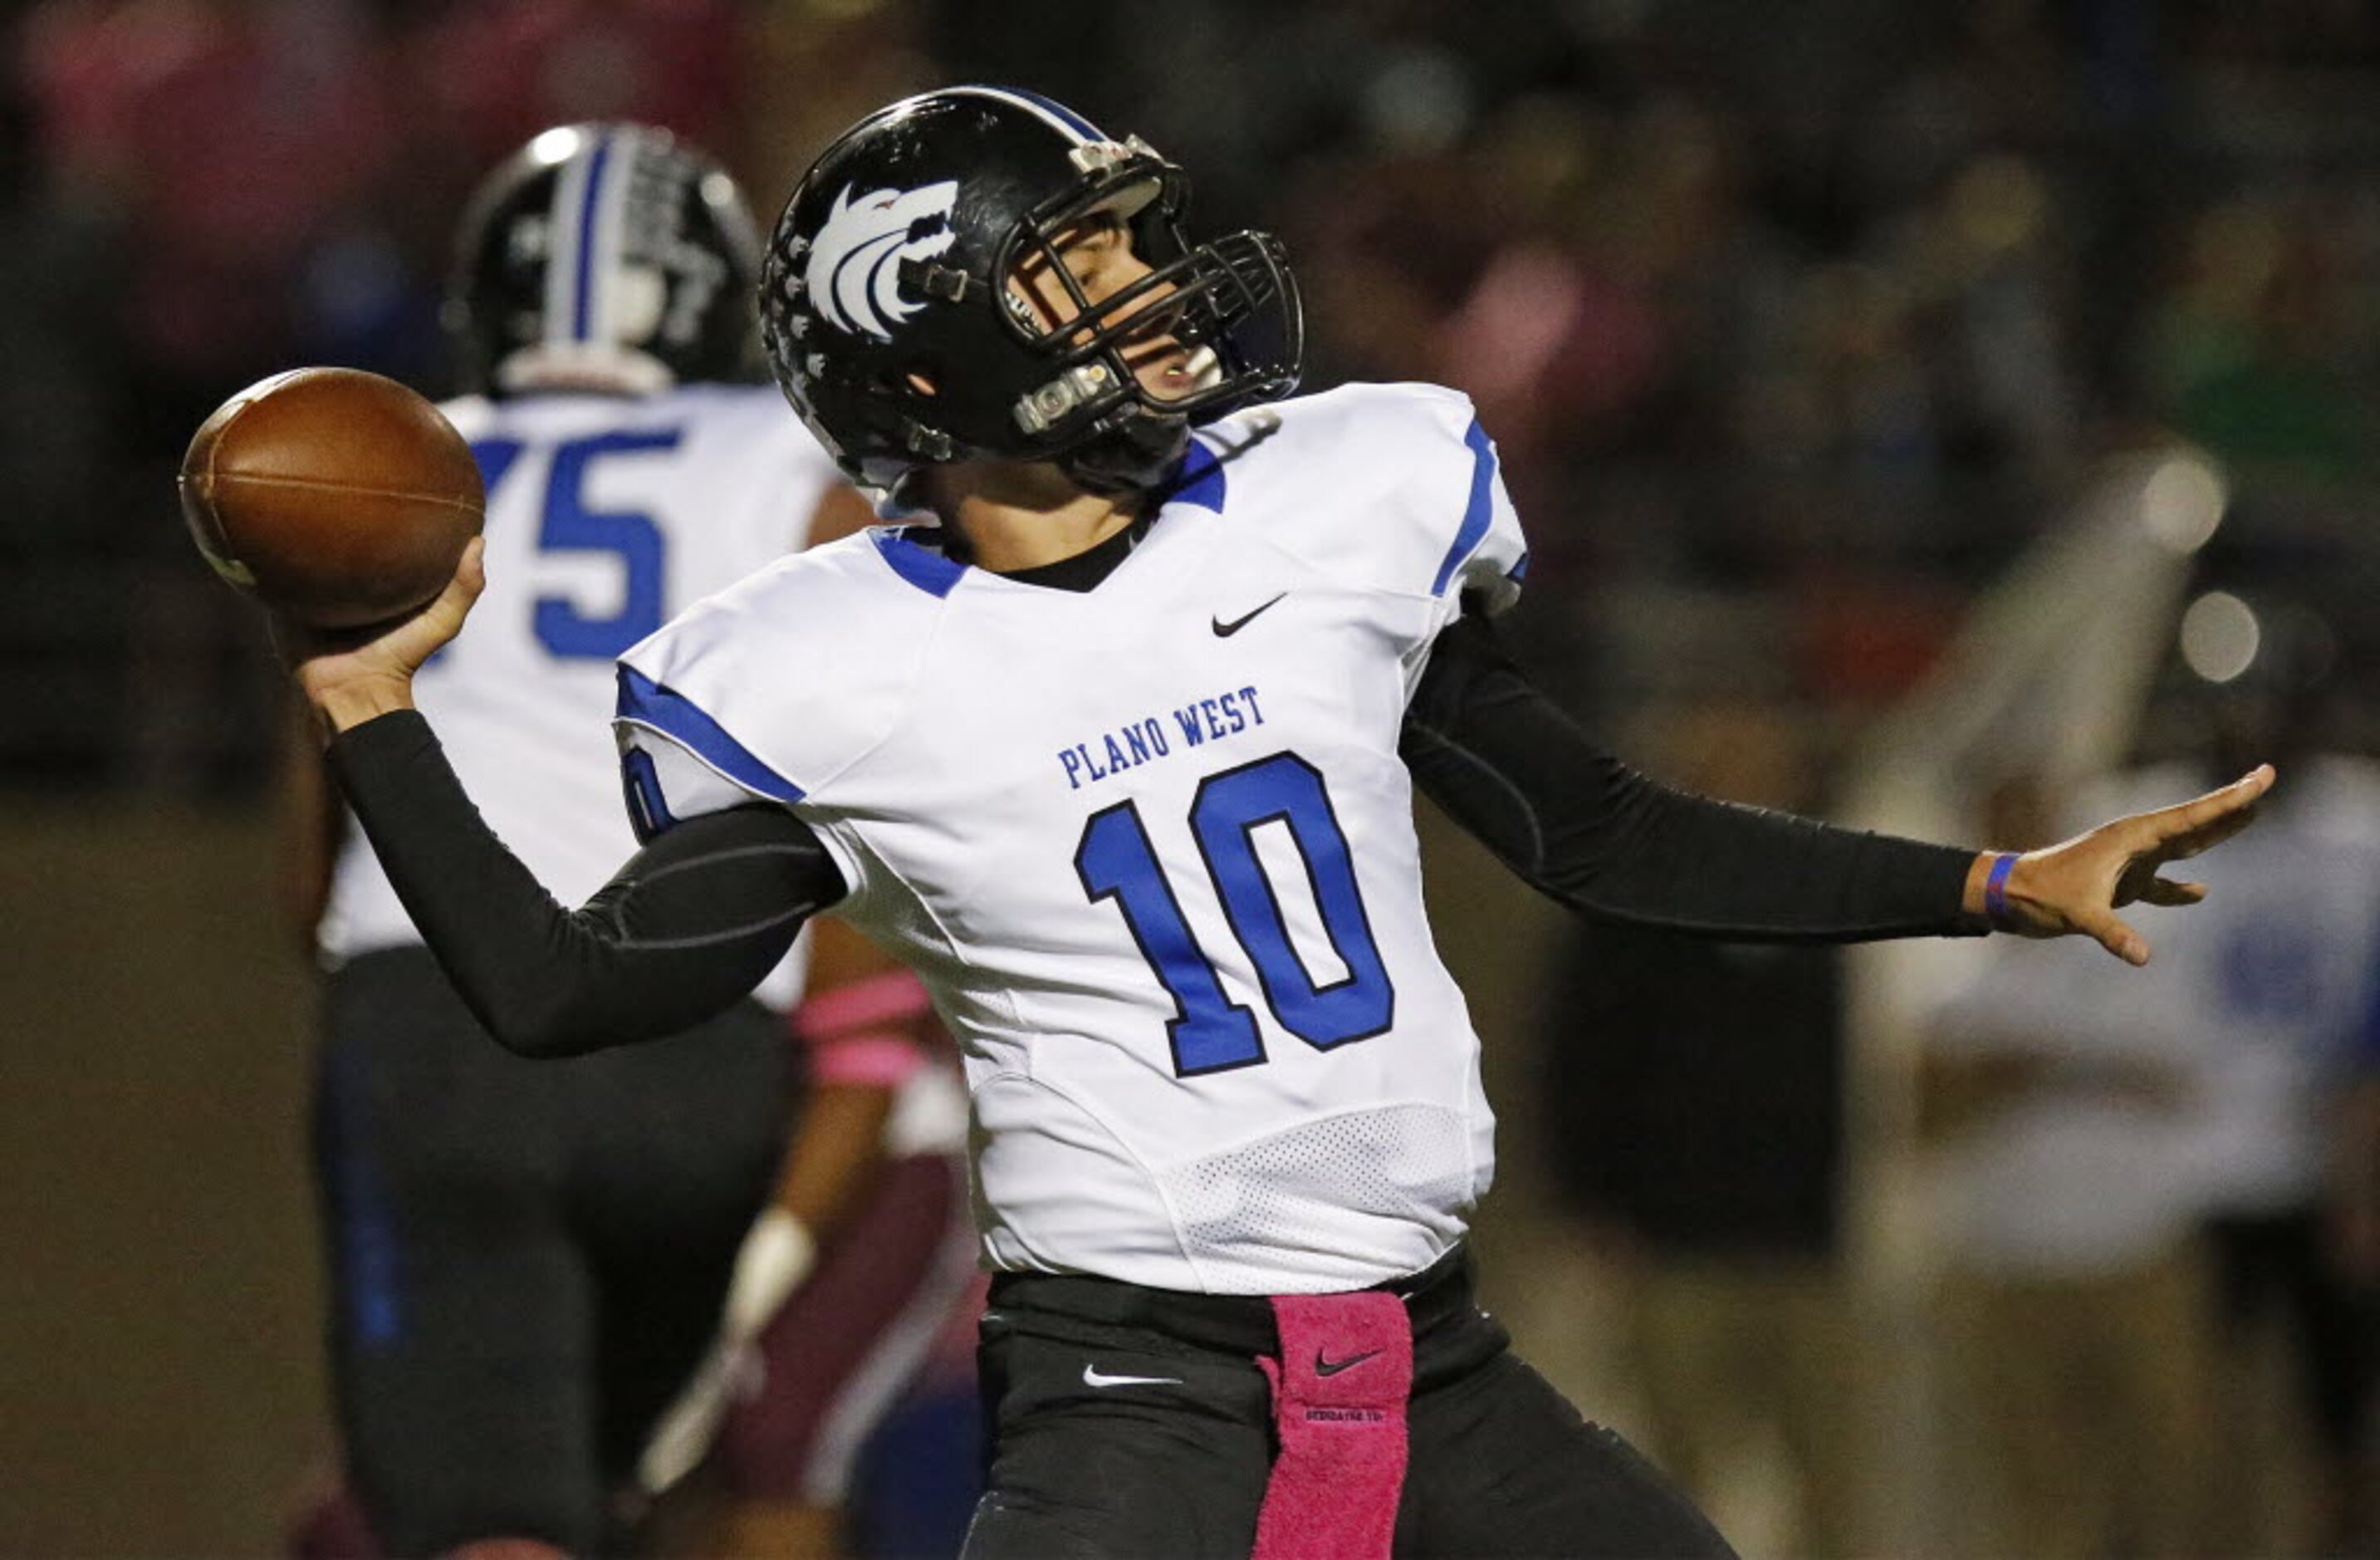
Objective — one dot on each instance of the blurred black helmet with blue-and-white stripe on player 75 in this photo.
(606, 258)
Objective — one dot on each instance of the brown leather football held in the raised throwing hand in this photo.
(330, 494)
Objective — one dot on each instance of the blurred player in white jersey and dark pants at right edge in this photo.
(2284, 992)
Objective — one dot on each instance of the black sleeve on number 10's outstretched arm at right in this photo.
(1603, 840)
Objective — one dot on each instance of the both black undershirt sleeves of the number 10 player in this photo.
(708, 909)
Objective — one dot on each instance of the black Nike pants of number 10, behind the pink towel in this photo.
(1134, 1423)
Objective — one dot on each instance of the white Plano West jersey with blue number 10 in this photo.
(1151, 847)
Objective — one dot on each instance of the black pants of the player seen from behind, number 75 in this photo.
(527, 1256)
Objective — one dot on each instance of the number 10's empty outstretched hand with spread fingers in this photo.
(2077, 890)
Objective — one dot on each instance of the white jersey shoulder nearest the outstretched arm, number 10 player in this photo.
(1389, 482)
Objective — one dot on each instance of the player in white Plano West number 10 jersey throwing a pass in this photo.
(1120, 756)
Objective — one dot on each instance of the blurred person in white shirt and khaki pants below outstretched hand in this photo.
(2072, 1304)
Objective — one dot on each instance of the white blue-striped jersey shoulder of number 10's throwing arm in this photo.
(791, 675)
